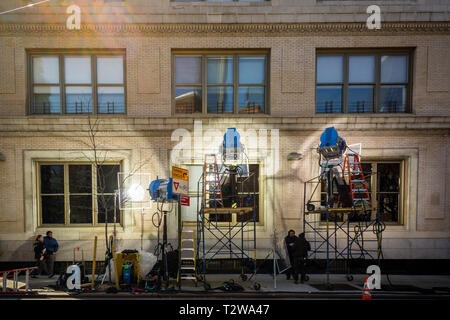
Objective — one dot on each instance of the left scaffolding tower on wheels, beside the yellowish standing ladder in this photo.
(226, 221)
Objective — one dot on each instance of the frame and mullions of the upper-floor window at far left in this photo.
(94, 54)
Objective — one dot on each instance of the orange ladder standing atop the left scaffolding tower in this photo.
(212, 190)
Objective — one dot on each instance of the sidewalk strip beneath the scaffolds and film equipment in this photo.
(402, 284)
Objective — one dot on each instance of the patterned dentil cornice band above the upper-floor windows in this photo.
(442, 27)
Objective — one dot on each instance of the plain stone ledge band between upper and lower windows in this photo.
(26, 126)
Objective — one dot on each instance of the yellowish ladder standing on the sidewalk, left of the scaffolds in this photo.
(187, 266)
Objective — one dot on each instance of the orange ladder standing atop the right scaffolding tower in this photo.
(357, 182)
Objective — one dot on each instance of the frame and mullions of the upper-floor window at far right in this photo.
(377, 53)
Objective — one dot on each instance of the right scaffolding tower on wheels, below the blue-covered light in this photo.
(337, 233)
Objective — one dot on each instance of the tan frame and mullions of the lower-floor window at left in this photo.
(94, 194)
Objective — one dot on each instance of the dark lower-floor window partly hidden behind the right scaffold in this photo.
(385, 184)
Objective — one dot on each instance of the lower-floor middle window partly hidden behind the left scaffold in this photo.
(248, 186)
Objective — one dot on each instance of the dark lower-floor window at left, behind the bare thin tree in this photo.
(77, 193)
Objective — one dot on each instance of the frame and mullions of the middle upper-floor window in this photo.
(235, 54)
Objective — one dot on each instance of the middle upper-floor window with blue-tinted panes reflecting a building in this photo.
(219, 83)
